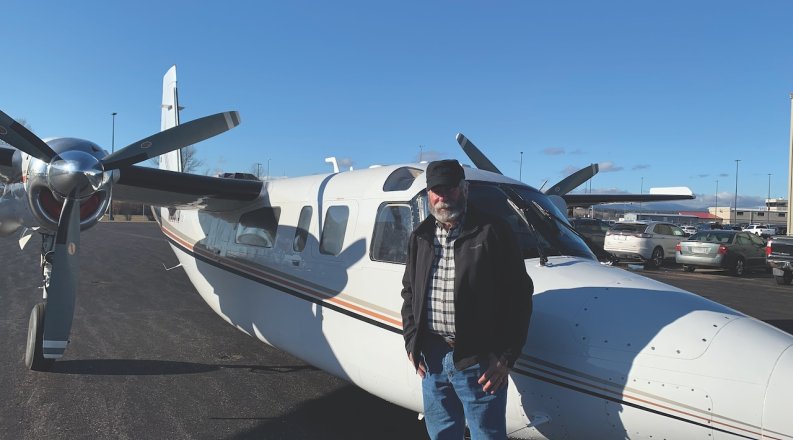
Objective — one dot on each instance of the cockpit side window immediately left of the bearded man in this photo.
(391, 232)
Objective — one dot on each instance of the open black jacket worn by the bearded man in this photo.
(492, 292)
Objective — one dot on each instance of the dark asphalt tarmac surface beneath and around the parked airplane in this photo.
(149, 359)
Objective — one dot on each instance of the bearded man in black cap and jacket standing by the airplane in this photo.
(467, 304)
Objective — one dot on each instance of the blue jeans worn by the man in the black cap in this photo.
(453, 396)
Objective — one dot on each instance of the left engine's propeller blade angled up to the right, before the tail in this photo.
(172, 139)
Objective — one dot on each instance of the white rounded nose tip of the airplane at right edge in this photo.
(777, 420)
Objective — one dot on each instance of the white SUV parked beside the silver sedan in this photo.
(649, 242)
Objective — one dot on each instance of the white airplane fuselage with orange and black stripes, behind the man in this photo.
(311, 269)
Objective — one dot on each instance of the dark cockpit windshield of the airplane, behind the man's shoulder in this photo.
(541, 229)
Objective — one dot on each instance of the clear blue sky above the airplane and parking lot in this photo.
(659, 93)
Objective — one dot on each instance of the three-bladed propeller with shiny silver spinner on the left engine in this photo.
(75, 175)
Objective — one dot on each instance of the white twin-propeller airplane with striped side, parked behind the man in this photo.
(313, 265)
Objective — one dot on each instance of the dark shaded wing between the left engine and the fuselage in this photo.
(165, 188)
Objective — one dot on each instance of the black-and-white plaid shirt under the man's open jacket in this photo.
(440, 295)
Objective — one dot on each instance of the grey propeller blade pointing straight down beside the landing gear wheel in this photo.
(63, 280)
